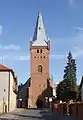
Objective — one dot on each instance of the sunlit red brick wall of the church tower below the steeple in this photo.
(38, 80)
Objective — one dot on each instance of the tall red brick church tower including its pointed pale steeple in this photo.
(39, 63)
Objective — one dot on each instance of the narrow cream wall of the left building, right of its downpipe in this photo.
(12, 94)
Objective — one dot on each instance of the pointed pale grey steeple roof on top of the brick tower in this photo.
(39, 38)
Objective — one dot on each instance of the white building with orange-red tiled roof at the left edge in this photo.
(8, 89)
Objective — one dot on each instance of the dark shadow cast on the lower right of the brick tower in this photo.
(42, 100)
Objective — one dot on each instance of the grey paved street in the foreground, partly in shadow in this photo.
(33, 114)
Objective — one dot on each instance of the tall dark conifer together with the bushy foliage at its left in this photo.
(68, 88)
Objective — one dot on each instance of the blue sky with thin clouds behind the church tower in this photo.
(63, 20)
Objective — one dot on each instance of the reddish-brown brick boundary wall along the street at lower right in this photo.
(76, 110)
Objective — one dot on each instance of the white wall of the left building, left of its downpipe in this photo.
(4, 78)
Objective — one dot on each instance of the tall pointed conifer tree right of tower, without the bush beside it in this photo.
(70, 78)
